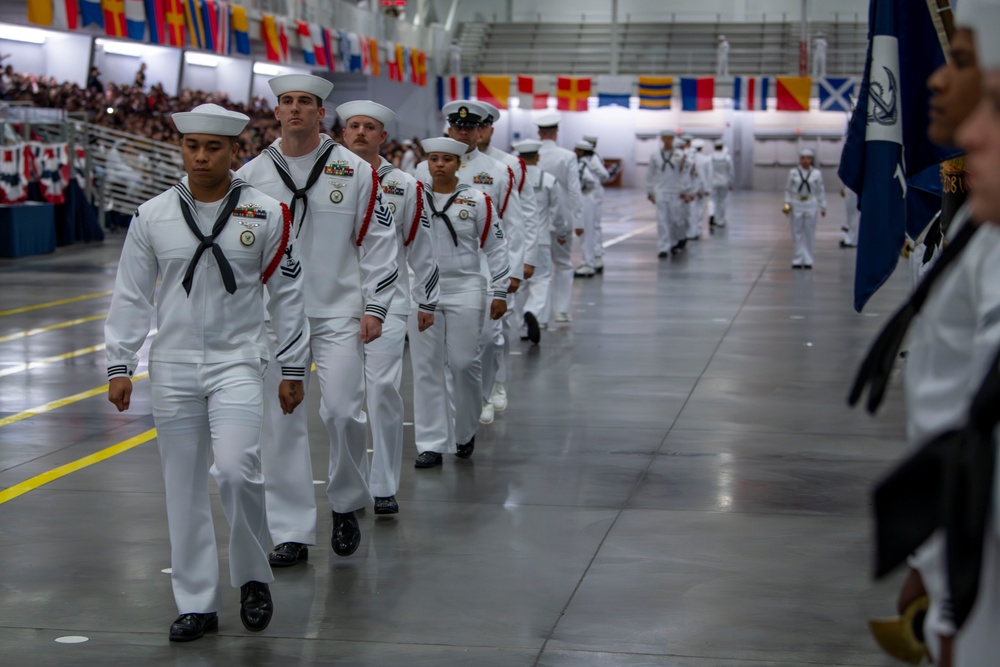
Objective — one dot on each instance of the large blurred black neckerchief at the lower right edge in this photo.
(946, 484)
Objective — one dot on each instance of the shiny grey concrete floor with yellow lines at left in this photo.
(677, 482)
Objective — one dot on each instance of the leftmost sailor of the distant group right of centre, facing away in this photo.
(666, 181)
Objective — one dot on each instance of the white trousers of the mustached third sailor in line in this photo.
(383, 374)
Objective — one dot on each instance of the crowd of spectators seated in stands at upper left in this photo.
(144, 110)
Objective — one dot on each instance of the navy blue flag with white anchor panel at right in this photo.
(887, 140)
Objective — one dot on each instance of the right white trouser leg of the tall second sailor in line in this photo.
(340, 369)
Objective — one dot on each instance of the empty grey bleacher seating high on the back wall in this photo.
(645, 48)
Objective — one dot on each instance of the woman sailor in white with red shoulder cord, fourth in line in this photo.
(465, 227)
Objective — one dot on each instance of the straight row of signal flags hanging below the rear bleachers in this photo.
(655, 93)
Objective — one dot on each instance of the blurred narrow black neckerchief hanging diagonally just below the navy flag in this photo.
(877, 365)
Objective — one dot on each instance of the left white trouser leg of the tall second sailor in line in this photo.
(291, 497)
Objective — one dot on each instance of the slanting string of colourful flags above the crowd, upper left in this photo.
(224, 28)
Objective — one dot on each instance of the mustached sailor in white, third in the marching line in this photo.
(364, 132)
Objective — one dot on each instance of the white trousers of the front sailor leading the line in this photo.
(200, 409)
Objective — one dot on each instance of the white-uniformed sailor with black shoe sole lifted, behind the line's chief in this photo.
(554, 230)
